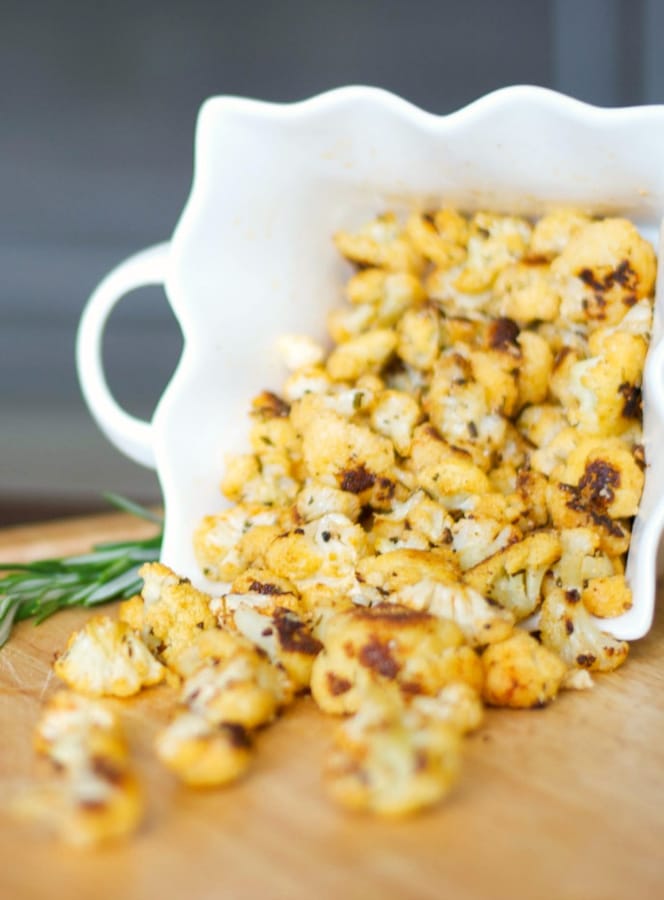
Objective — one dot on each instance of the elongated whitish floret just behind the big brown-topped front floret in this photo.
(479, 621)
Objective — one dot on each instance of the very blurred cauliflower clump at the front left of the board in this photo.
(97, 798)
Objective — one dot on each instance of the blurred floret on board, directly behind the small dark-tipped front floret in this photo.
(242, 688)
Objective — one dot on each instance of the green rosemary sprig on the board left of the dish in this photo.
(108, 572)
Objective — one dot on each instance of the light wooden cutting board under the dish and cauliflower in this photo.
(565, 802)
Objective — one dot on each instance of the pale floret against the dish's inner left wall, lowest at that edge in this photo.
(218, 543)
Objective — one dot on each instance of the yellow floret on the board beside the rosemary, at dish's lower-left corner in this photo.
(175, 611)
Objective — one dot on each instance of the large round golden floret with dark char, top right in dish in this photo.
(603, 271)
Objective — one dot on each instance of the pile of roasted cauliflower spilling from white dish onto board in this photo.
(432, 517)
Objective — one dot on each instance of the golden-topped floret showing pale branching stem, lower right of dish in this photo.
(513, 577)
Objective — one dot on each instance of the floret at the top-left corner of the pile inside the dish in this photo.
(381, 242)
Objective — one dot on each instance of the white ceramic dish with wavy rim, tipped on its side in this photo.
(251, 258)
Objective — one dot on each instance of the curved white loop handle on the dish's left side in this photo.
(131, 435)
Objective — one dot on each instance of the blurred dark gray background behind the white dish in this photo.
(97, 109)
